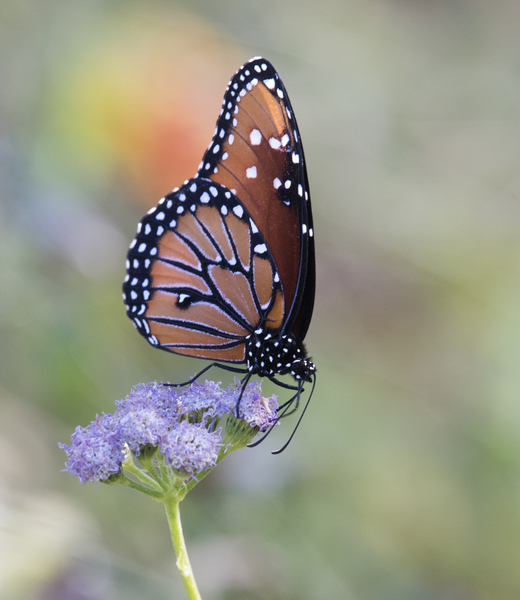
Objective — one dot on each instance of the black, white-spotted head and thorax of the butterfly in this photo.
(268, 355)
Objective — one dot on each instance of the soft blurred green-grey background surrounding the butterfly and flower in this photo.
(403, 481)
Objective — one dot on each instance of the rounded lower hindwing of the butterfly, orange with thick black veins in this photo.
(200, 276)
